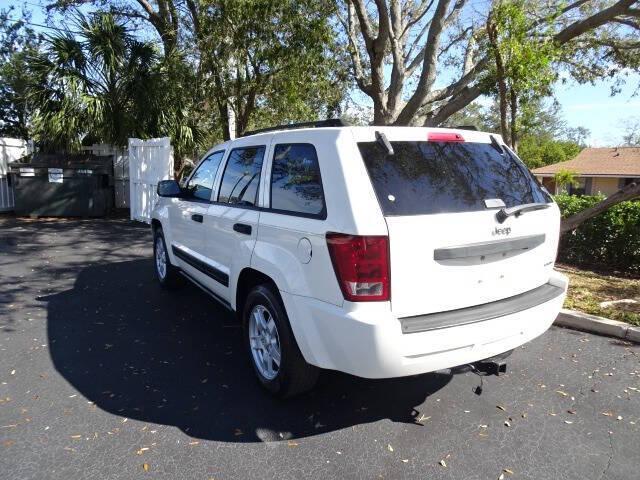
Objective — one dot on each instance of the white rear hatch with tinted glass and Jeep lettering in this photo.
(448, 249)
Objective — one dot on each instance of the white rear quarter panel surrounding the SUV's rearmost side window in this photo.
(351, 208)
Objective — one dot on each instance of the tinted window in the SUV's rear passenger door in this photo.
(242, 176)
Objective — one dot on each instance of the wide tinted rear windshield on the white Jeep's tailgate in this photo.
(437, 177)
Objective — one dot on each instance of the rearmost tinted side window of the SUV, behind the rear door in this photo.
(296, 186)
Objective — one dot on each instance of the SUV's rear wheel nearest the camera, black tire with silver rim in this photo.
(272, 347)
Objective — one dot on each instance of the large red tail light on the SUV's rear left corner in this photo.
(361, 264)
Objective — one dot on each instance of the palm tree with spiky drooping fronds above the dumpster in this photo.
(102, 84)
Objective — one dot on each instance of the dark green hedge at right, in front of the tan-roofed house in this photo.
(610, 240)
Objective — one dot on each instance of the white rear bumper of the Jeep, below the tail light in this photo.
(367, 340)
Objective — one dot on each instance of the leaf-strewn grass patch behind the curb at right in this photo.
(588, 289)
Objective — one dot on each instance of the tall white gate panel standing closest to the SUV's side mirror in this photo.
(149, 162)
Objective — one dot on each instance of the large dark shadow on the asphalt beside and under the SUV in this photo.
(176, 358)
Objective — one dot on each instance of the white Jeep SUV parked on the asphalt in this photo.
(376, 251)
